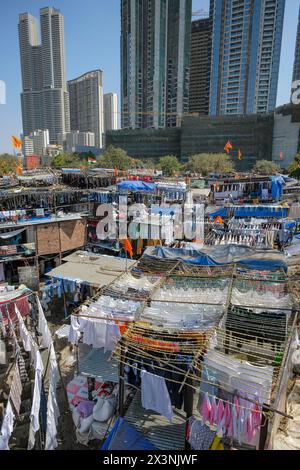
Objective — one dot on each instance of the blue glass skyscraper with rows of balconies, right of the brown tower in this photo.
(246, 45)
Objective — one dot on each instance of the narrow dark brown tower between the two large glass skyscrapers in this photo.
(200, 66)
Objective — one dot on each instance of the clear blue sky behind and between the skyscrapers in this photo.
(92, 40)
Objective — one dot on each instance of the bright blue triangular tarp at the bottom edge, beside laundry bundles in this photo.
(125, 437)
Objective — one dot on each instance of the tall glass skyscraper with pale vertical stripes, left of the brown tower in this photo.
(155, 51)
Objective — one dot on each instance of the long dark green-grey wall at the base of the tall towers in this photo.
(259, 137)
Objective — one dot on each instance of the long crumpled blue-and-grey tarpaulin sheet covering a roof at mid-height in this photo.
(222, 255)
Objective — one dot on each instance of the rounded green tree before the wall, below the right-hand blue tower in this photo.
(206, 163)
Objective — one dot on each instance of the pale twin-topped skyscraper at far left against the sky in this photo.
(45, 100)
